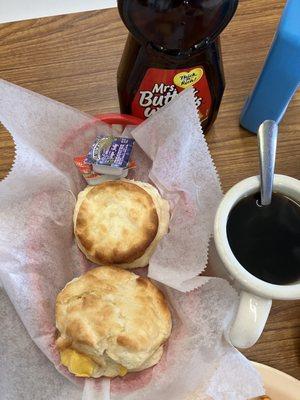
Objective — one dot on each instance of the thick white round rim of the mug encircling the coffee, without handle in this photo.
(235, 269)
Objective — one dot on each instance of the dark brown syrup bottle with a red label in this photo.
(172, 45)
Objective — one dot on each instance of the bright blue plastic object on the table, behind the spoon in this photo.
(280, 76)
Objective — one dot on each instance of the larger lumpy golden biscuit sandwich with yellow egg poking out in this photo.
(116, 320)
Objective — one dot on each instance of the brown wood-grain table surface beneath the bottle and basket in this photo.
(74, 59)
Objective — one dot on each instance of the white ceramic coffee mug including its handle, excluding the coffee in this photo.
(255, 294)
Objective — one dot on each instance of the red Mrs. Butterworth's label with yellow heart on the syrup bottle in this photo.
(160, 86)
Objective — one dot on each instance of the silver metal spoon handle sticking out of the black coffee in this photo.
(267, 143)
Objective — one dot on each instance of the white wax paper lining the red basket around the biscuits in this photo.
(38, 255)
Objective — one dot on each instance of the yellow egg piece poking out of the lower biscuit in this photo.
(79, 364)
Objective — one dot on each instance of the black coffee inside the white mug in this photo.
(266, 239)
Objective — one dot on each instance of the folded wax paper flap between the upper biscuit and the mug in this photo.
(184, 172)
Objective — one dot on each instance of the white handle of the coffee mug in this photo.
(250, 320)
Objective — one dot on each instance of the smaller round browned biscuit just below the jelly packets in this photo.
(120, 222)
